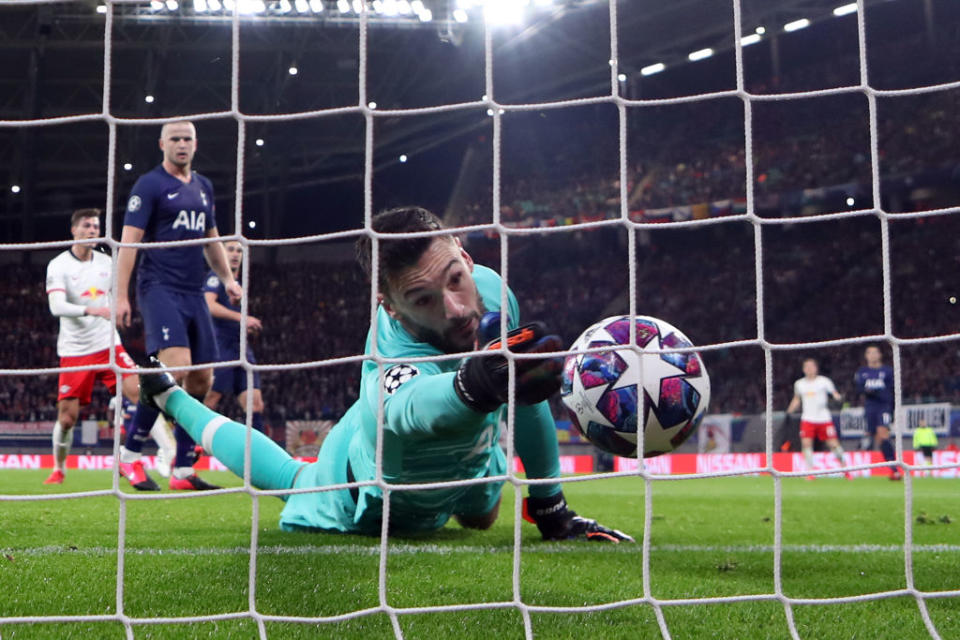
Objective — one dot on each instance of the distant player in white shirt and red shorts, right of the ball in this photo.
(813, 391)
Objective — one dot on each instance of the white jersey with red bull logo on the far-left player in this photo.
(85, 283)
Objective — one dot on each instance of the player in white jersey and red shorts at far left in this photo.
(78, 292)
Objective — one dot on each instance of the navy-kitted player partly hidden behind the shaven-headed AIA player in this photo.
(226, 323)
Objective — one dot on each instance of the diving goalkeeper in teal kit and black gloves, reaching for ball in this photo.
(442, 419)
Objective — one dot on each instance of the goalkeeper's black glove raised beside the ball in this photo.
(481, 381)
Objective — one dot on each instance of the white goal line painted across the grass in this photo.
(433, 549)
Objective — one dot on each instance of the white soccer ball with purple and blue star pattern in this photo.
(610, 394)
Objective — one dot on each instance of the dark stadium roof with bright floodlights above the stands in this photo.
(172, 59)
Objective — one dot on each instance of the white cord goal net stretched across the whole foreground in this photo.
(371, 113)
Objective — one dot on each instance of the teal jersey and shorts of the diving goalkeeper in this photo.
(429, 435)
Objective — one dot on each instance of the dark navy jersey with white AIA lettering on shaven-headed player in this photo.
(168, 209)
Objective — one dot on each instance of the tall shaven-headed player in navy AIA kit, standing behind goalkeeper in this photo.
(172, 202)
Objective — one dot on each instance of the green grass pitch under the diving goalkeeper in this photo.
(709, 537)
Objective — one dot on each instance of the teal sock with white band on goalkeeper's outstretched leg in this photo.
(271, 466)
